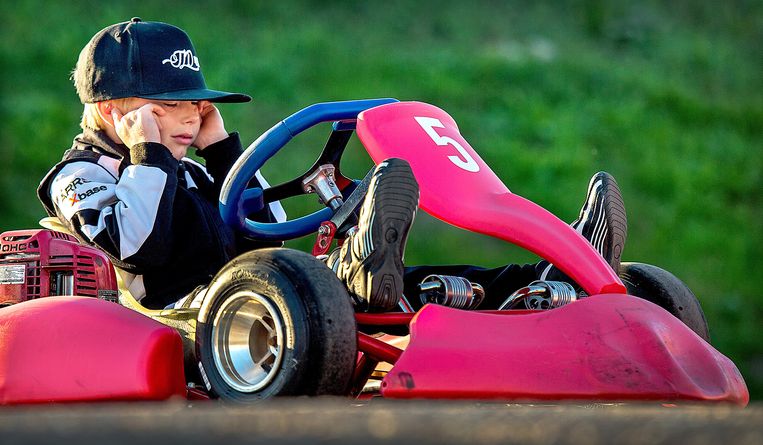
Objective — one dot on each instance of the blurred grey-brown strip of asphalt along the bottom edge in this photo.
(330, 421)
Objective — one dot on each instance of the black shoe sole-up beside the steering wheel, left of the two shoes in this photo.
(370, 262)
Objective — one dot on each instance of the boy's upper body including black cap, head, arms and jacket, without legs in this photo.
(126, 186)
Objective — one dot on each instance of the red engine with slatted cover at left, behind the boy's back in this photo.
(42, 263)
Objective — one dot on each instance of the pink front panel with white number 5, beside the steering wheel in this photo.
(459, 188)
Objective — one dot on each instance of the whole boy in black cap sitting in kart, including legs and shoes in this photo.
(127, 188)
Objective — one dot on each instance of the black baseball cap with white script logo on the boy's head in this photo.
(152, 60)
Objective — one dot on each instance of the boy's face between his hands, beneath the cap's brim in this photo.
(178, 127)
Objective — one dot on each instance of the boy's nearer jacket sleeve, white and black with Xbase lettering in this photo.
(129, 215)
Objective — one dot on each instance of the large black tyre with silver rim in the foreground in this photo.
(300, 323)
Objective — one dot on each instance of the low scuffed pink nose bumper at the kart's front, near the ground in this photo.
(605, 347)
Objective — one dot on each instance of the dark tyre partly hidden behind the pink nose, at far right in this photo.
(665, 290)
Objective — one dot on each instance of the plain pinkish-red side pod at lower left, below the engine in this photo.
(64, 349)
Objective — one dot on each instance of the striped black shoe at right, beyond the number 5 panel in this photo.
(602, 222)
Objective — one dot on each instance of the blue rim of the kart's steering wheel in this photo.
(236, 201)
